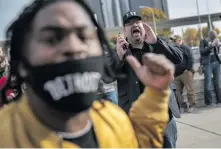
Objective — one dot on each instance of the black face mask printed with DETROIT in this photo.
(69, 86)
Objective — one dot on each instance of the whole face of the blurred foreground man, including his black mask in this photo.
(65, 57)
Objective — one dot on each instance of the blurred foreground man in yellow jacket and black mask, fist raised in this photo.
(56, 50)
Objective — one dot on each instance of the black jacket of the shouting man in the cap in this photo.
(129, 87)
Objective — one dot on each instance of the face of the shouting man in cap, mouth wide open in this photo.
(134, 30)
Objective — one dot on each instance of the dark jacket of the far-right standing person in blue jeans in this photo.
(205, 49)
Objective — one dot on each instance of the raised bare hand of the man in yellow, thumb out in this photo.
(156, 72)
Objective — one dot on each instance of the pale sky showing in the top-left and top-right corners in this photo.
(177, 9)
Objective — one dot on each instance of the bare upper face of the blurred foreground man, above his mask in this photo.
(60, 32)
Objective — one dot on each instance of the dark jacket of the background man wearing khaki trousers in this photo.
(187, 62)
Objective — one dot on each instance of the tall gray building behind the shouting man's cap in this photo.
(109, 12)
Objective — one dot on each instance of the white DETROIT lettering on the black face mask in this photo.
(64, 86)
